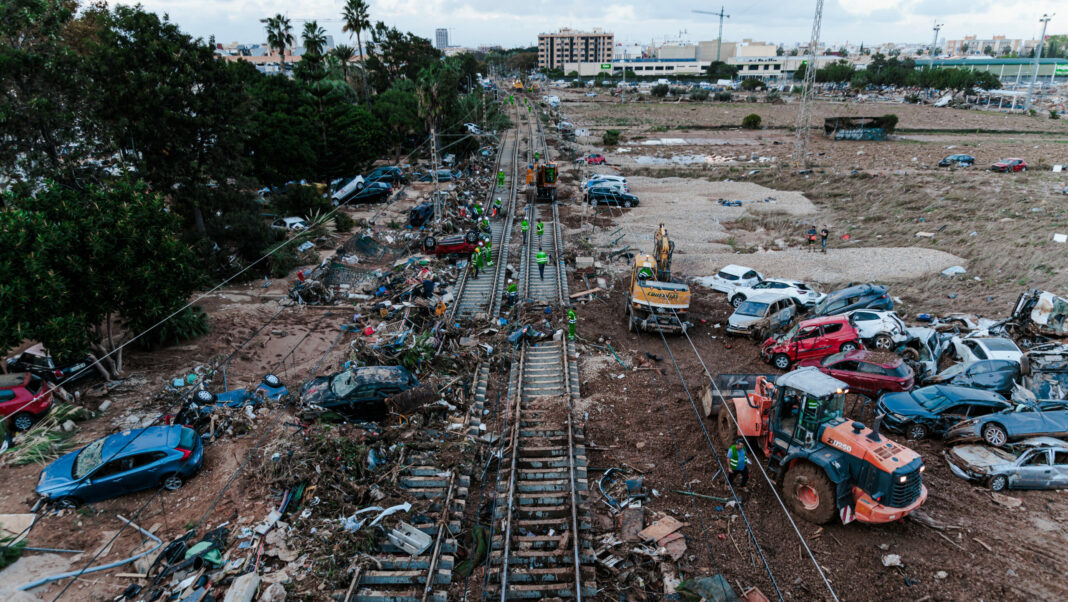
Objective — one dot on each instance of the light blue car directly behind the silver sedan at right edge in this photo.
(1042, 419)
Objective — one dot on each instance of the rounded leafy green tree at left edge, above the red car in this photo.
(78, 264)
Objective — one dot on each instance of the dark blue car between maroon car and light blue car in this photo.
(936, 409)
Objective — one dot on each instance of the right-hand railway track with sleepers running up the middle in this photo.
(542, 548)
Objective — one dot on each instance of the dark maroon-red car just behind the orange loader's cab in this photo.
(867, 373)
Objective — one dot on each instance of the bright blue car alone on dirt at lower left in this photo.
(129, 462)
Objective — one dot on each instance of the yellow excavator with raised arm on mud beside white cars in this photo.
(655, 303)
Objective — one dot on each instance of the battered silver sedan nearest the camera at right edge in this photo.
(1039, 464)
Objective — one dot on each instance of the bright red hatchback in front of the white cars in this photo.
(814, 339)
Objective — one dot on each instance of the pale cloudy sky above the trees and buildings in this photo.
(517, 23)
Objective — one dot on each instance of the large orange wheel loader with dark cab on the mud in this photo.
(824, 464)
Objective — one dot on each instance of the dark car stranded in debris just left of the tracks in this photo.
(359, 392)
